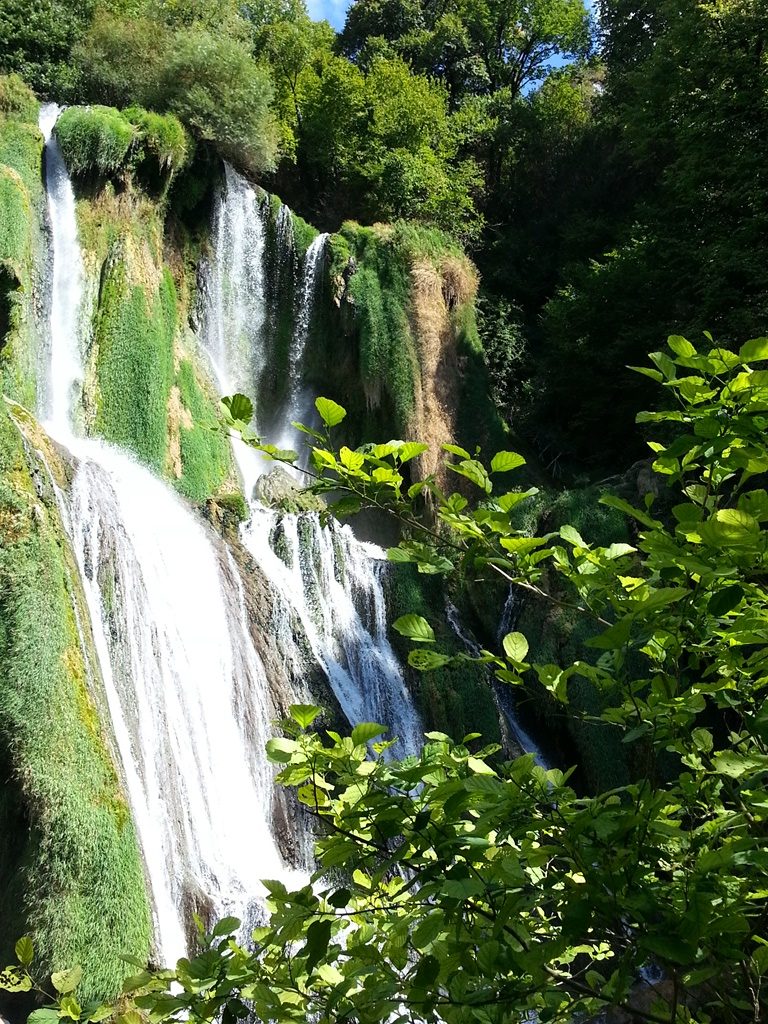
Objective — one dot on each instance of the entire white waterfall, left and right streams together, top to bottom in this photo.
(188, 694)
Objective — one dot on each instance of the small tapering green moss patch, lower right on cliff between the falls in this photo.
(206, 462)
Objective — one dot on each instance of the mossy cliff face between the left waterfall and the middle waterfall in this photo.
(146, 390)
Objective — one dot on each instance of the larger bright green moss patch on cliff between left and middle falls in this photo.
(135, 335)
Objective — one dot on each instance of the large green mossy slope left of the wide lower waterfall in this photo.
(72, 871)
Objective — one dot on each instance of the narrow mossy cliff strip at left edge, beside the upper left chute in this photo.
(22, 205)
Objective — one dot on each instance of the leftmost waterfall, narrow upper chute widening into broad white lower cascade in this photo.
(188, 694)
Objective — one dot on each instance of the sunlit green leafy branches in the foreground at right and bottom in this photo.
(455, 888)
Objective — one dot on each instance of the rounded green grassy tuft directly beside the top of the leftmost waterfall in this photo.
(95, 140)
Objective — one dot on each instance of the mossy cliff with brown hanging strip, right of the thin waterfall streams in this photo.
(397, 331)
